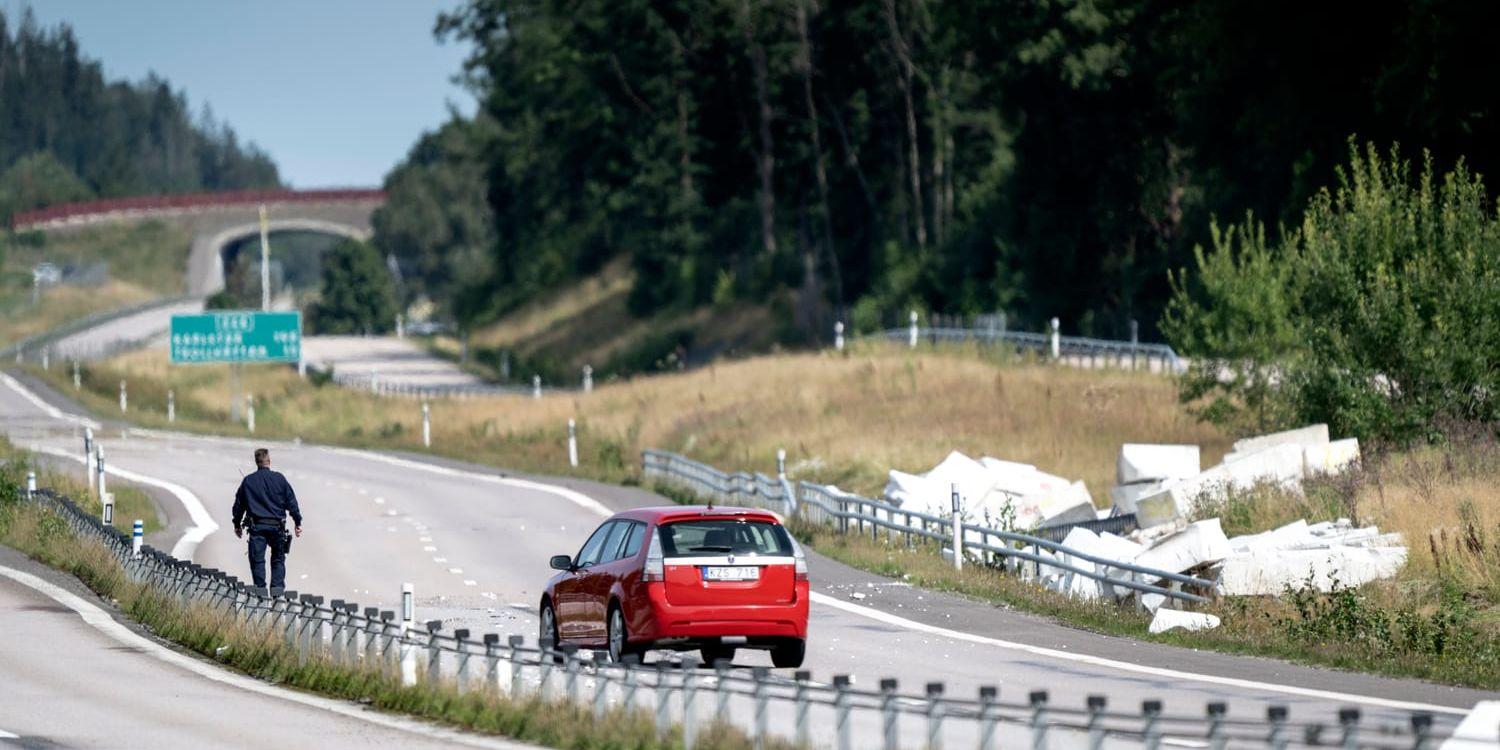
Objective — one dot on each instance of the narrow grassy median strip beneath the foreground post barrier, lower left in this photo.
(263, 653)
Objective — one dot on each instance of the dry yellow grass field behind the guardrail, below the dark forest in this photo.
(841, 419)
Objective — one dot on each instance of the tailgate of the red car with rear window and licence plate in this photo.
(728, 562)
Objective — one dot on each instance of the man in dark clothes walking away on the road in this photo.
(262, 506)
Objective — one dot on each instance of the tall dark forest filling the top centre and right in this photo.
(860, 158)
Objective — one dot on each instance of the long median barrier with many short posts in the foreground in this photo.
(682, 697)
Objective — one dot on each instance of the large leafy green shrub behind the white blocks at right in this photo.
(1379, 314)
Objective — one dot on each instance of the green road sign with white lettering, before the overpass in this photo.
(238, 337)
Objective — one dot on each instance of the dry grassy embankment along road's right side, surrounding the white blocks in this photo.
(848, 419)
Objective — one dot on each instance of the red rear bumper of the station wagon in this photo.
(712, 623)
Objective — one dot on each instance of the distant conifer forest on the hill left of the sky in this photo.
(68, 134)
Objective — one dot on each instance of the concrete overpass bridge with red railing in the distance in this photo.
(221, 220)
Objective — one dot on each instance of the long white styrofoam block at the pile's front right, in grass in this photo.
(1270, 572)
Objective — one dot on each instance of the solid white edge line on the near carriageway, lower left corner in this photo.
(106, 625)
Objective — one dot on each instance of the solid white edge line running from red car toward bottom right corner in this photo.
(1127, 667)
